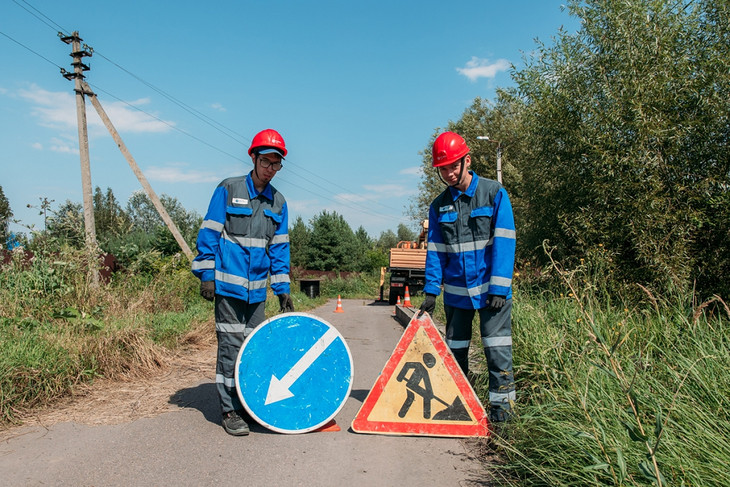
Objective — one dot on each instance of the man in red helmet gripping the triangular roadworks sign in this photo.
(471, 252)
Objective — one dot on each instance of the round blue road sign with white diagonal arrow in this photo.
(294, 373)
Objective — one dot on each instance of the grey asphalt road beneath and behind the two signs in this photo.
(187, 445)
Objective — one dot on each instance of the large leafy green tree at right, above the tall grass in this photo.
(626, 142)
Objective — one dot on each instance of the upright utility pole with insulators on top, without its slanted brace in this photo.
(89, 225)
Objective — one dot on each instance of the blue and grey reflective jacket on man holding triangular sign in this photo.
(471, 244)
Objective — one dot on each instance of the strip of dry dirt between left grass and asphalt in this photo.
(140, 394)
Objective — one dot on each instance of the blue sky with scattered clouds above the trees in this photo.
(355, 88)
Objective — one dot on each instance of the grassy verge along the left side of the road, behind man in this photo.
(56, 331)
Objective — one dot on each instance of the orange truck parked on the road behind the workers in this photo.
(407, 266)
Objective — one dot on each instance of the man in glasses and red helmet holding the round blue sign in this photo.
(243, 243)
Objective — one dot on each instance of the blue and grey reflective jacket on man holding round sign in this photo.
(243, 240)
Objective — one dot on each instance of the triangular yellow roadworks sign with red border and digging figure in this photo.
(422, 391)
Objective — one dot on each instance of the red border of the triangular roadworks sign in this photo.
(362, 425)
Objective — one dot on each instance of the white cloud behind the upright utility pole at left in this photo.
(55, 109)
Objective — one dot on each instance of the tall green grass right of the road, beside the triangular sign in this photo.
(611, 394)
